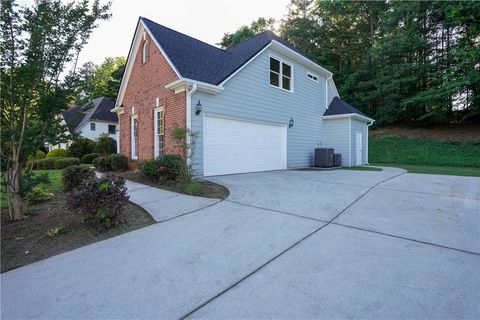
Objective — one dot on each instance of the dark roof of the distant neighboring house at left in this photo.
(97, 109)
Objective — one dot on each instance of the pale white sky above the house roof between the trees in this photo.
(206, 20)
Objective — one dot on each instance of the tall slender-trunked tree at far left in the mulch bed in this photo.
(37, 44)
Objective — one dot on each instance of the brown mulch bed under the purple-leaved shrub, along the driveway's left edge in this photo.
(27, 241)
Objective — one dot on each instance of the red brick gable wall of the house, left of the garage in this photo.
(146, 83)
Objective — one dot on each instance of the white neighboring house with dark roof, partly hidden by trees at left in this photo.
(90, 120)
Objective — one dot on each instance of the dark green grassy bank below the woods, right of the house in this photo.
(403, 150)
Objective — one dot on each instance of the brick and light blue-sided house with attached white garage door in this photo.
(259, 105)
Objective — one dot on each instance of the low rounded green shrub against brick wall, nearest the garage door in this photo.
(165, 168)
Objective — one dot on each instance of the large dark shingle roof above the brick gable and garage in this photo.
(201, 61)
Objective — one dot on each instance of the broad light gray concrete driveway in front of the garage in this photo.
(286, 244)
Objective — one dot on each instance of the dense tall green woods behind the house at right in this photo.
(401, 62)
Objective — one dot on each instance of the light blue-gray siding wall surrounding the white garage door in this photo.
(249, 96)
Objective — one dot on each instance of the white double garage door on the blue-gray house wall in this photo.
(235, 146)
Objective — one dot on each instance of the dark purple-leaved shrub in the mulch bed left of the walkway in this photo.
(101, 199)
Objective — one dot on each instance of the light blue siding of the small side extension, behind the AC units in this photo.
(338, 136)
